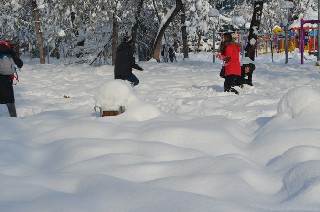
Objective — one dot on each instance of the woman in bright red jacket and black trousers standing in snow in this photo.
(230, 54)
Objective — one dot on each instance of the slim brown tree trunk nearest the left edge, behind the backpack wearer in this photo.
(36, 16)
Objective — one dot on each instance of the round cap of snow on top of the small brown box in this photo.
(113, 94)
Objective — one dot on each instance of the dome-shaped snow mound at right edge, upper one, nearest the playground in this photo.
(299, 101)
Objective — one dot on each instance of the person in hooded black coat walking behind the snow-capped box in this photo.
(125, 62)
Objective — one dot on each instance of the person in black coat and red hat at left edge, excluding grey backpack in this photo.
(6, 89)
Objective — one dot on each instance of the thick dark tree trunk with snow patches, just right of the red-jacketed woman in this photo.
(253, 31)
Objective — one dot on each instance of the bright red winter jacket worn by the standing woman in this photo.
(232, 66)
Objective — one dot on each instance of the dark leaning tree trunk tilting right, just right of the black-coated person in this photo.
(157, 43)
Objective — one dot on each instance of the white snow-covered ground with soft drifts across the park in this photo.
(182, 144)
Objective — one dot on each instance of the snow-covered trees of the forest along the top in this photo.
(88, 31)
